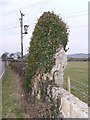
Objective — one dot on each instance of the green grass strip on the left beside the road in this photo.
(11, 105)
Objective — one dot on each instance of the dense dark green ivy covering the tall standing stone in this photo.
(50, 32)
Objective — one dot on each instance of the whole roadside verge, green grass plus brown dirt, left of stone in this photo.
(16, 103)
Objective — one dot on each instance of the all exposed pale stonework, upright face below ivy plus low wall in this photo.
(50, 87)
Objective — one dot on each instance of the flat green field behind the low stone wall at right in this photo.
(78, 73)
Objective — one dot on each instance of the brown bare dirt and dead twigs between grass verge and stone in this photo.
(32, 110)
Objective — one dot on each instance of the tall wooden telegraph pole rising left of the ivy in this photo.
(21, 25)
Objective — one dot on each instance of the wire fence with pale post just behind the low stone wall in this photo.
(79, 89)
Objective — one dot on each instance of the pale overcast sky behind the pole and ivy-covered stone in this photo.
(73, 12)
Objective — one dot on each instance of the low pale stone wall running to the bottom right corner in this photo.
(71, 106)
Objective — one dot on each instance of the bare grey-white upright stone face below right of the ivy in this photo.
(60, 64)
